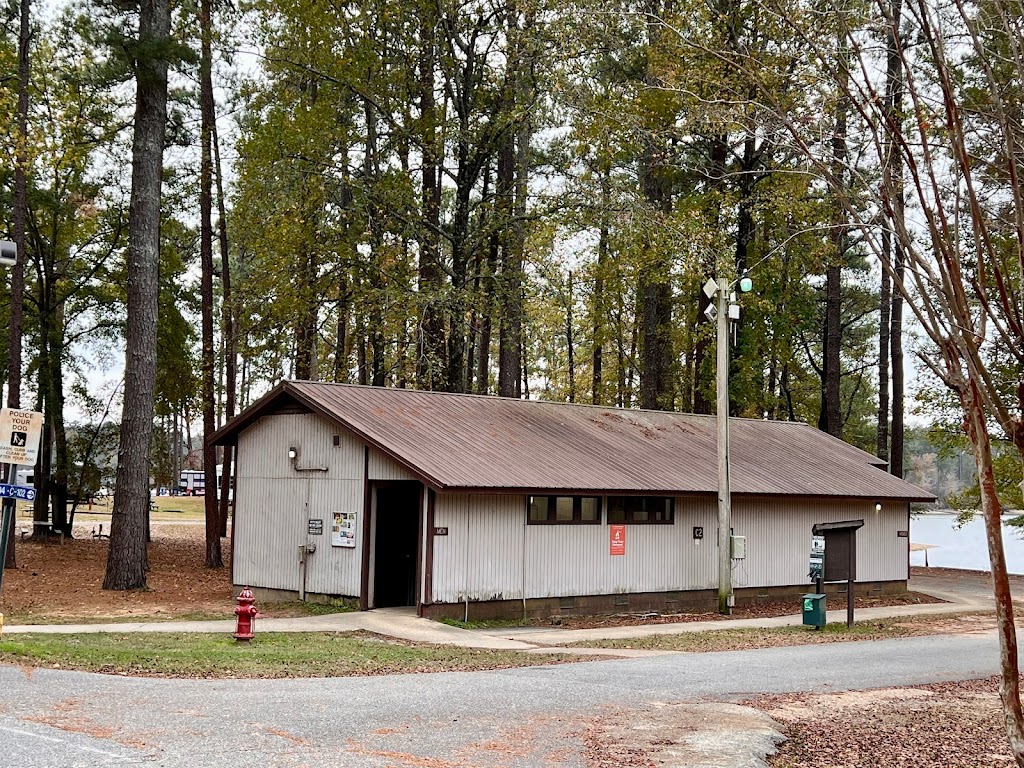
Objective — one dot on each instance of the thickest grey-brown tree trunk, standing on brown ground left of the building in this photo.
(126, 562)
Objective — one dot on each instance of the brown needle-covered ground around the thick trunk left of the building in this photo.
(56, 581)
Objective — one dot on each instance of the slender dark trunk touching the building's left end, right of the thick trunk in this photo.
(215, 558)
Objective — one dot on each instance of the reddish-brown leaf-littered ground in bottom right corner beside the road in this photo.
(947, 726)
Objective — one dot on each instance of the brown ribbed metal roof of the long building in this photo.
(460, 442)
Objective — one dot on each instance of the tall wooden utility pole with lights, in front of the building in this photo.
(728, 310)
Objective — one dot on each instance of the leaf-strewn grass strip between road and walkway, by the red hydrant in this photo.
(269, 656)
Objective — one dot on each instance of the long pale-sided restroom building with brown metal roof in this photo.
(464, 505)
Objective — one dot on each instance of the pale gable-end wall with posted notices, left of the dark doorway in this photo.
(272, 510)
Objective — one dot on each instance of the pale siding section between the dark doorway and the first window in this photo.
(482, 557)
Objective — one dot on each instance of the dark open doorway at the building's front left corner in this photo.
(398, 536)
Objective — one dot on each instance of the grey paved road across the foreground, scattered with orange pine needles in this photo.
(516, 718)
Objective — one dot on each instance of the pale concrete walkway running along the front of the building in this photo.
(964, 592)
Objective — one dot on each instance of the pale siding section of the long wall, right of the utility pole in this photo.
(779, 539)
